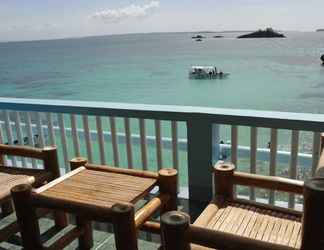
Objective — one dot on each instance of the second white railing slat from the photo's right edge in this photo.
(293, 163)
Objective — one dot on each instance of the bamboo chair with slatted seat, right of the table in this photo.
(231, 223)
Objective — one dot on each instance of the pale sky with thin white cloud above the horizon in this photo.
(50, 19)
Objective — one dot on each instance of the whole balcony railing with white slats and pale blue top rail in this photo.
(154, 136)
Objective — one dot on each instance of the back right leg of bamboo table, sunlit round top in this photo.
(168, 182)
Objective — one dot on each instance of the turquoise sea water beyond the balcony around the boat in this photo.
(266, 74)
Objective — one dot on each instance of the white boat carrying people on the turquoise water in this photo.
(206, 72)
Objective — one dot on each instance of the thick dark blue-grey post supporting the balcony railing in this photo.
(199, 133)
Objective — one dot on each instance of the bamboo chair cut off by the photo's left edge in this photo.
(11, 176)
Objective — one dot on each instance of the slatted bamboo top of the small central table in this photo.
(95, 187)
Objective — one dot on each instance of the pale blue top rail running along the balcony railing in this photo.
(273, 119)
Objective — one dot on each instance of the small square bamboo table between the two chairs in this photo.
(101, 193)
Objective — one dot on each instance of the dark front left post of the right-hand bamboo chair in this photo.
(174, 227)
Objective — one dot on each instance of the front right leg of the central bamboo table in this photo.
(124, 227)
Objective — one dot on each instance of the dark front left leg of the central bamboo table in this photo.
(26, 217)
